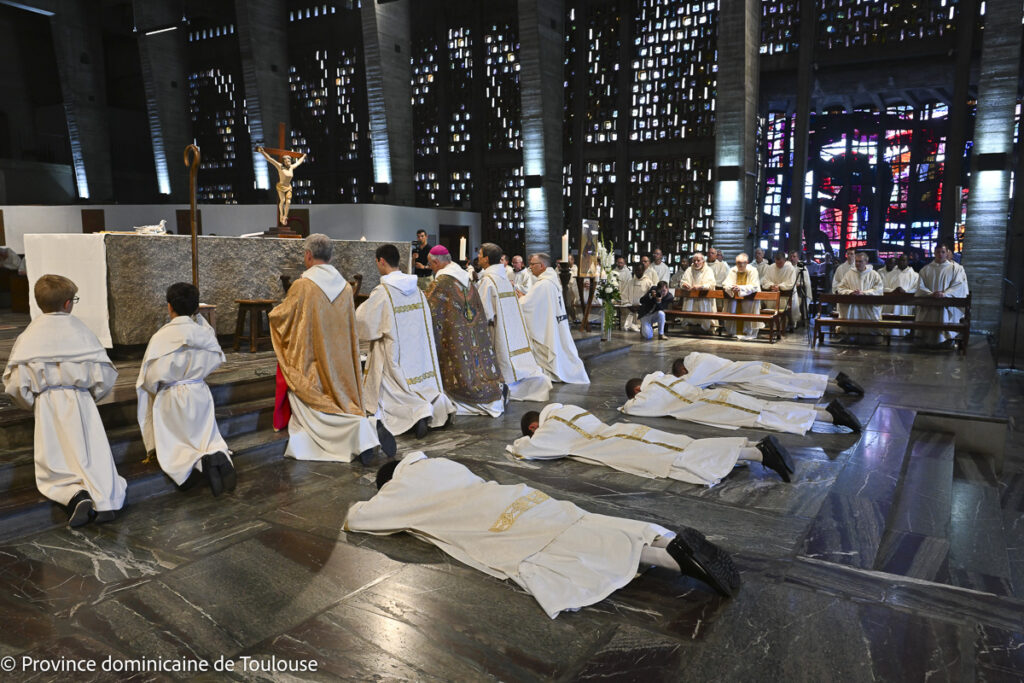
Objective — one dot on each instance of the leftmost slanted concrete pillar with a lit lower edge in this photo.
(78, 45)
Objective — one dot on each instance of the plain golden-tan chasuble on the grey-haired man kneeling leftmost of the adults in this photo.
(318, 350)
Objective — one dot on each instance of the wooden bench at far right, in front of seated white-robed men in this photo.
(894, 322)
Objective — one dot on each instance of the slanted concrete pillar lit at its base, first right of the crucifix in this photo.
(387, 50)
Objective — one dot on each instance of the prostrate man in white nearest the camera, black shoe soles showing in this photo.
(564, 557)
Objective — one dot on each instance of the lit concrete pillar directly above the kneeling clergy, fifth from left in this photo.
(542, 92)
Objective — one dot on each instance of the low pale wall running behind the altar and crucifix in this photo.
(379, 223)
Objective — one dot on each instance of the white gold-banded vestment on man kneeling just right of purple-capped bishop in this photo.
(520, 369)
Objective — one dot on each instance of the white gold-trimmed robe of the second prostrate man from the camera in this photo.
(572, 432)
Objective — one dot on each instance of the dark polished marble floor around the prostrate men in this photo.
(869, 567)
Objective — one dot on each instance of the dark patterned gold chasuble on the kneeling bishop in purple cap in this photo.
(465, 353)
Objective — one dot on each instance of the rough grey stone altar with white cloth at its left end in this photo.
(141, 268)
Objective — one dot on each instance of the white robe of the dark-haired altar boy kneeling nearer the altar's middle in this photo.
(176, 407)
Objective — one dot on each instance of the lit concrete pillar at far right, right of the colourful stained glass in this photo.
(989, 204)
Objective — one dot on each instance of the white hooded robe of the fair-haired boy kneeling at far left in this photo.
(59, 369)
